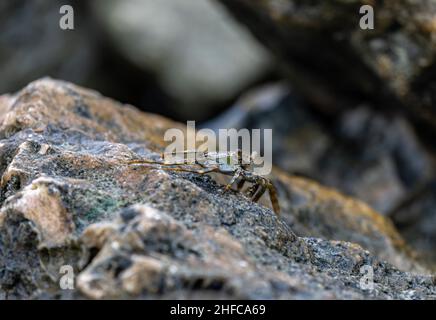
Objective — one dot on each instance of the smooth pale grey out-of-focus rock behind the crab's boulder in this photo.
(200, 56)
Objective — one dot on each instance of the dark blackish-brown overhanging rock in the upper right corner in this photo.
(336, 64)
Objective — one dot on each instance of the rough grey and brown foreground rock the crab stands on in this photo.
(140, 232)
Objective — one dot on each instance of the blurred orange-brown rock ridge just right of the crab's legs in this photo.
(312, 210)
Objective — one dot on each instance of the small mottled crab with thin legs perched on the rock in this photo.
(232, 163)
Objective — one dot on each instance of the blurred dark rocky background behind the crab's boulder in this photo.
(349, 108)
